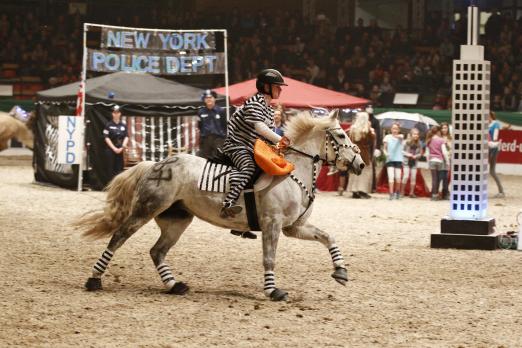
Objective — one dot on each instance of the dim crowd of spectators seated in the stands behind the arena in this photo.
(363, 60)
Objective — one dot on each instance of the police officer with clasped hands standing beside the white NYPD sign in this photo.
(116, 138)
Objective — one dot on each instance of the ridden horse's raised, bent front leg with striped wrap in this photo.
(310, 232)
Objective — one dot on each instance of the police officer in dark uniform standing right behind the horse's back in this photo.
(212, 125)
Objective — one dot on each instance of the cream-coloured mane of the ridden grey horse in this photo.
(299, 126)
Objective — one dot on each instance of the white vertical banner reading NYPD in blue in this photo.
(69, 139)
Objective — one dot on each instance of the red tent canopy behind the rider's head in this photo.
(296, 95)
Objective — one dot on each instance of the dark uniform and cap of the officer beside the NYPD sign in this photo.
(116, 132)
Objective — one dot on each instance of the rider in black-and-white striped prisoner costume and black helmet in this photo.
(254, 120)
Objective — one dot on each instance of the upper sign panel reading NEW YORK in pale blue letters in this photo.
(157, 40)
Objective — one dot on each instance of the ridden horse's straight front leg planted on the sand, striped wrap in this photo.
(271, 233)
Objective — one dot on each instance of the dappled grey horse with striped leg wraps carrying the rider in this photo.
(168, 192)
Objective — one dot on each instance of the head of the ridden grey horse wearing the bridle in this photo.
(339, 149)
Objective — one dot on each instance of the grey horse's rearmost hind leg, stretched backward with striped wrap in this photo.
(117, 240)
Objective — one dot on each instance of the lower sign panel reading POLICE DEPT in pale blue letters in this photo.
(156, 62)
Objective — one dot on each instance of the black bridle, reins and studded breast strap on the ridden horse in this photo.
(330, 140)
